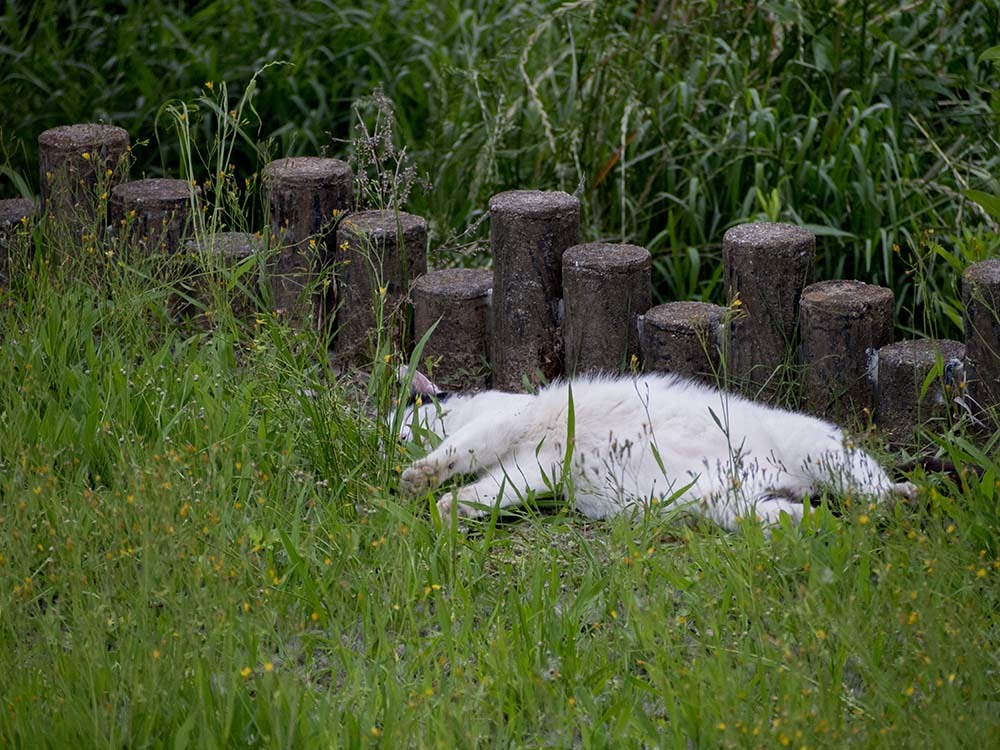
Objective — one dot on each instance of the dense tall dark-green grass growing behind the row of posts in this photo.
(672, 120)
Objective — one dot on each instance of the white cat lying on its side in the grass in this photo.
(635, 440)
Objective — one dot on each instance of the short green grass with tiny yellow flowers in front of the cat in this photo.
(193, 553)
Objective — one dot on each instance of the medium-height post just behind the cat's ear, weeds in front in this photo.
(383, 253)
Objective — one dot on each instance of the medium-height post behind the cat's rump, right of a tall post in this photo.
(841, 326)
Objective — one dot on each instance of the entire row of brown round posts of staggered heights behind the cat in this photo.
(551, 306)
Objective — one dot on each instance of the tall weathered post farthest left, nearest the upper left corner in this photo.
(74, 161)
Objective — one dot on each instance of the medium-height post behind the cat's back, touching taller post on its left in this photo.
(605, 289)
